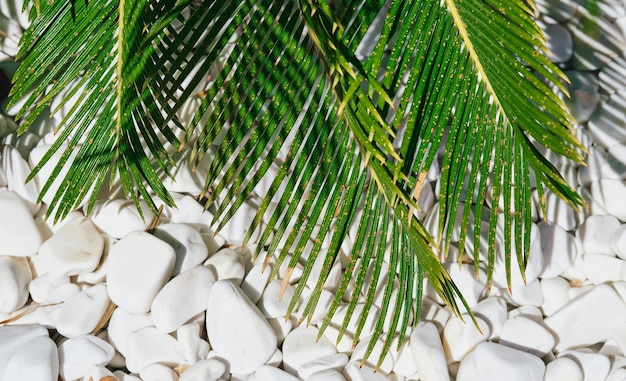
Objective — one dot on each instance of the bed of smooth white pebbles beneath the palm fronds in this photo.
(99, 298)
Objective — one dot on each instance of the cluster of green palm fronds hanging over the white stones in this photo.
(353, 134)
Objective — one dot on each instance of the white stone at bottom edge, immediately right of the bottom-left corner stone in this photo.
(78, 354)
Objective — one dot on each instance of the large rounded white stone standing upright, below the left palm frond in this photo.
(139, 266)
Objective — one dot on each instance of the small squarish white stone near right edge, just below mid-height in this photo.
(595, 233)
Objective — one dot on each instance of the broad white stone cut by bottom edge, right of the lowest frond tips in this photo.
(491, 361)
